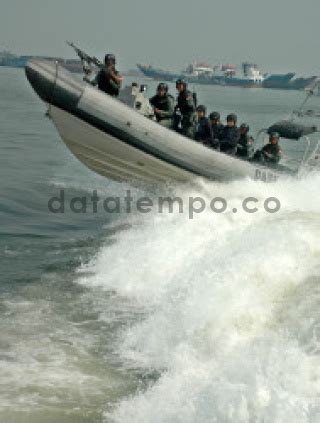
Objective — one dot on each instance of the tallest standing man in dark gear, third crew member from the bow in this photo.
(187, 107)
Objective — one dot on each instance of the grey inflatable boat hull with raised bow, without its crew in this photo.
(115, 138)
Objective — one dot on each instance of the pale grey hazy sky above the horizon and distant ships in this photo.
(279, 35)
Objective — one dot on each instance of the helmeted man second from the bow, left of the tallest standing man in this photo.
(163, 105)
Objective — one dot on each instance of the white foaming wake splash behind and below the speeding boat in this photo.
(229, 304)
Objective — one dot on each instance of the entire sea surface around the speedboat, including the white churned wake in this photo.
(157, 317)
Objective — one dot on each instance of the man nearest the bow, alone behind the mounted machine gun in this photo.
(108, 78)
